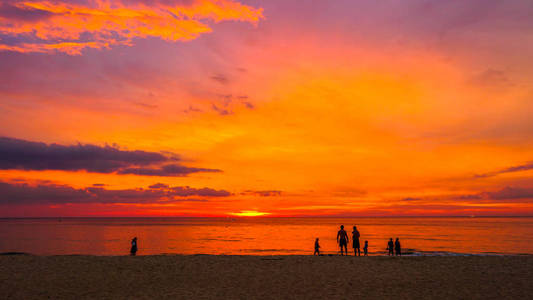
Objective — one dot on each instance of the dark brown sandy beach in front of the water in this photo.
(269, 277)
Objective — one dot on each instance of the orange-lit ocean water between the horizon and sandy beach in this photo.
(264, 236)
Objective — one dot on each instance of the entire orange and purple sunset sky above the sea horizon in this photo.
(278, 108)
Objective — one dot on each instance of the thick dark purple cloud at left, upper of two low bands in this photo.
(16, 154)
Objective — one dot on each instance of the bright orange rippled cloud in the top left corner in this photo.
(43, 26)
